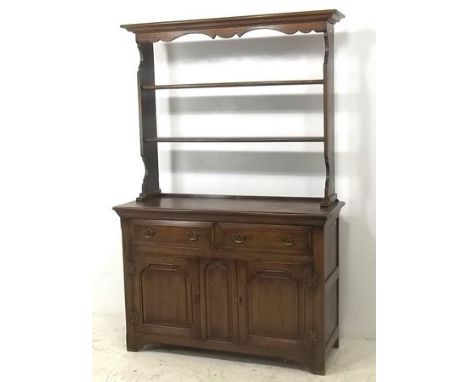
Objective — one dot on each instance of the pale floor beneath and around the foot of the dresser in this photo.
(354, 361)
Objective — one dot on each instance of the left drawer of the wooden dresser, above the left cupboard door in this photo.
(172, 233)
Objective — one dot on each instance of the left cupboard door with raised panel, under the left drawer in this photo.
(167, 295)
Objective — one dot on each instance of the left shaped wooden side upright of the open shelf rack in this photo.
(148, 126)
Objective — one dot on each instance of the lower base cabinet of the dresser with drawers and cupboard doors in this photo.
(254, 275)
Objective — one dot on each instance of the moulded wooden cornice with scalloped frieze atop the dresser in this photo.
(227, 27)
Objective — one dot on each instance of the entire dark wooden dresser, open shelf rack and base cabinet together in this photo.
(246, 274)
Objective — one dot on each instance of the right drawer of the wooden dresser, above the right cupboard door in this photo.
(263, 237)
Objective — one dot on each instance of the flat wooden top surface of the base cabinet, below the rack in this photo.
(307, 207)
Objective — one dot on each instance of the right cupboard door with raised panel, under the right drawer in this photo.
(272, 304)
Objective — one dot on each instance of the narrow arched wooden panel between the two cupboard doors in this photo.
(218, 300)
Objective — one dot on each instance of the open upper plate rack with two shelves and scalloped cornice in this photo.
(146, 34)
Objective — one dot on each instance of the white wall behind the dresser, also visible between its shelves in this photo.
(268, 169)
